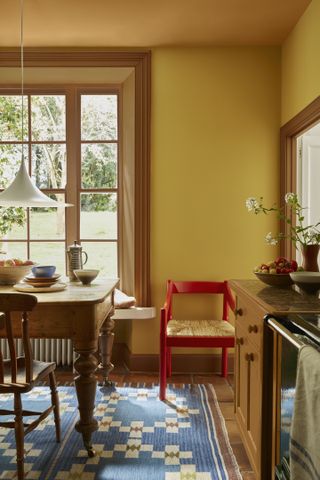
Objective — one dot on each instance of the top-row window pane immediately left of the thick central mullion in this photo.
(48, 117)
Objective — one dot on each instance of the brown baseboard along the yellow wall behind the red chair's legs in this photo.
(181, 363)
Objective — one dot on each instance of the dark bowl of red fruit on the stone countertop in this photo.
(277, 272)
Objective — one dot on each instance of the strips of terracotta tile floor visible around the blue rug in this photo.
(224, 391)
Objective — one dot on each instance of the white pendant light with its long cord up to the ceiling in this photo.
(22, 192)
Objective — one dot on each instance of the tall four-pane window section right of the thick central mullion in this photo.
(99, 173)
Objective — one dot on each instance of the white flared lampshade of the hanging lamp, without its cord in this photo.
(23, 193)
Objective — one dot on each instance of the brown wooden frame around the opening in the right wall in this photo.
(301, 122)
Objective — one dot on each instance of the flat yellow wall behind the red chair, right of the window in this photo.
(215, 129)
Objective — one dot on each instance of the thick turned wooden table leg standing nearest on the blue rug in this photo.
(86, 383)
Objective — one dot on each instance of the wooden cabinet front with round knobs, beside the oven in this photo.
(248, 377)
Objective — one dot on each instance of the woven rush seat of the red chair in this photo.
(199, 328)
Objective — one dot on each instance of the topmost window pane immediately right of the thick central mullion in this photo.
(99, 117)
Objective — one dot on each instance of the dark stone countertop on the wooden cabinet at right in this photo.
(277, 299)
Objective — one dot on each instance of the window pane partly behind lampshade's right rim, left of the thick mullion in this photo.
(48, 222)
